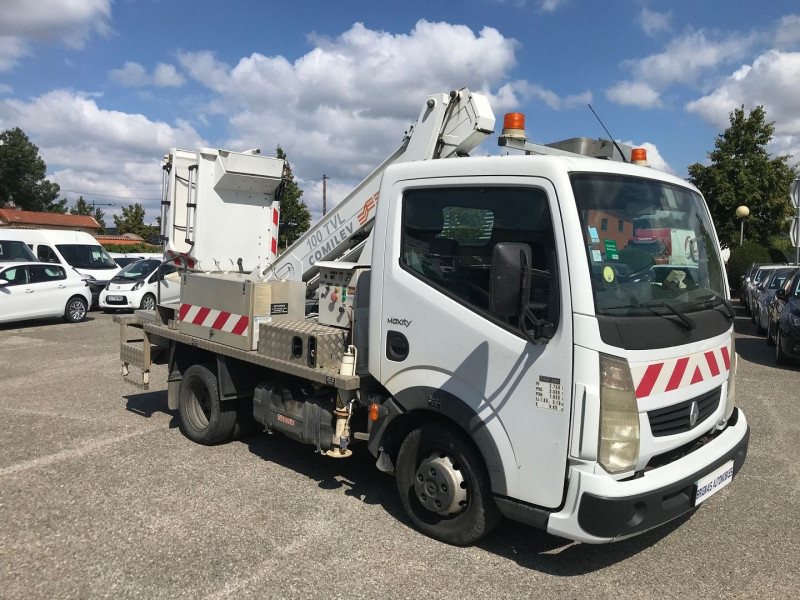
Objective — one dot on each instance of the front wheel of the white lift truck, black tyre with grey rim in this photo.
(444, 486)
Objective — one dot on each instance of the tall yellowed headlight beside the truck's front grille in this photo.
(619, 417)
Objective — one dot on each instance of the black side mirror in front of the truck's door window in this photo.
(511, 278)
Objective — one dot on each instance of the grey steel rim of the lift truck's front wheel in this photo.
(440, 485)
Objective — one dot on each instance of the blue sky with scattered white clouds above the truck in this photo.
(105, 88)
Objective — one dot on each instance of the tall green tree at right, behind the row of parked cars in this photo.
(742, 173)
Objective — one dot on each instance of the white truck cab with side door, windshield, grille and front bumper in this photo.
(600, 367)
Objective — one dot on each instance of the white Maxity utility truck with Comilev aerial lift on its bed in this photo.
(477, 324)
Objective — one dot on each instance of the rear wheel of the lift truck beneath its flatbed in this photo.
(203, 418)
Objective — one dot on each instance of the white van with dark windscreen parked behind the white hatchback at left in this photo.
(75, 249)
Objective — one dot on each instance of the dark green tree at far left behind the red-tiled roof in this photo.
(22, 173)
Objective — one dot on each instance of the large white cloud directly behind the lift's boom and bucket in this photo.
(348, 101)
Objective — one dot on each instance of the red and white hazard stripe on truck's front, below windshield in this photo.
(656, 378)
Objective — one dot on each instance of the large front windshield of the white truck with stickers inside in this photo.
(650, 246)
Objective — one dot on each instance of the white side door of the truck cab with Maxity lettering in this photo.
(442, 348)
